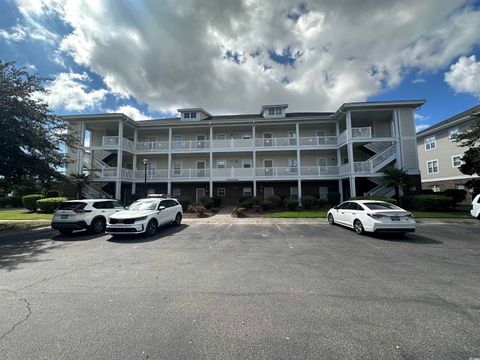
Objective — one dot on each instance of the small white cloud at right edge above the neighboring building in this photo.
(464, 75)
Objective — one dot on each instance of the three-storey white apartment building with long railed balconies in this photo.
(233, 156)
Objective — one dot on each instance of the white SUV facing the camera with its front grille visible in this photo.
(145, 216)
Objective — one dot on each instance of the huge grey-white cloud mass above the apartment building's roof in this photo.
(173, 54)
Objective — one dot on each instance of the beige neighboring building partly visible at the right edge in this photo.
(440, 155)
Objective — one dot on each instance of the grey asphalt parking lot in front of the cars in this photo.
(233, 290)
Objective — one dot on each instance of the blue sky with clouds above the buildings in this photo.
(149, 58)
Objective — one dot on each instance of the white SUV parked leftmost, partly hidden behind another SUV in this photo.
(90, 214)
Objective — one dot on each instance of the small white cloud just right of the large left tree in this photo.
(70, 91)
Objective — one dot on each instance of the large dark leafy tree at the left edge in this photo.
(32, 137)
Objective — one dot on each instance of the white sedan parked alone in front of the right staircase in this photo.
(372, 216)
